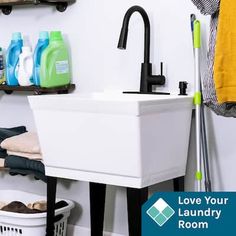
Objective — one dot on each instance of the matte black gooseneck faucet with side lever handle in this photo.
(147, 79)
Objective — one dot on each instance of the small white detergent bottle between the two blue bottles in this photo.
(25, 70)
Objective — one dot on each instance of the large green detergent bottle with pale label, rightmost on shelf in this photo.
(55, 66)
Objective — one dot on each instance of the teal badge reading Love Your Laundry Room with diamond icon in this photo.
(189, 214)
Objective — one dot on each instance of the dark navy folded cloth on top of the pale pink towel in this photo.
(7, 133)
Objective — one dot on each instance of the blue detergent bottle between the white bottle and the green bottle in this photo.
(42, 44)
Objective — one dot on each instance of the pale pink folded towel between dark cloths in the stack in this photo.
(27, 143)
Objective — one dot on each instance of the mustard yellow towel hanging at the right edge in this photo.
(225, 53)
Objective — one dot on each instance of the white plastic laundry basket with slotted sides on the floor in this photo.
(18, 224)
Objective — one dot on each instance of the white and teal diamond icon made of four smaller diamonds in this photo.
(160, 212)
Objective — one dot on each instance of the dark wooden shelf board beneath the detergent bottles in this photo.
(38, 90)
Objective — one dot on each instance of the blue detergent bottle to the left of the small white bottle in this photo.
(12, 58)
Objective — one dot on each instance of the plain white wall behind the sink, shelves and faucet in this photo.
(91, 28)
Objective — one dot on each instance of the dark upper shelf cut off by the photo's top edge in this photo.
(6, 5)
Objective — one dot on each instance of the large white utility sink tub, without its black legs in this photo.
(129, 140)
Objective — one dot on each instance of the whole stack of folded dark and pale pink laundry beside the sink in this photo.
(20, 152)
